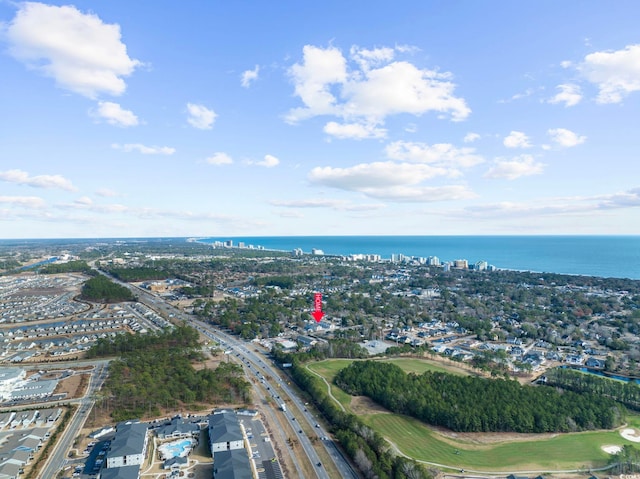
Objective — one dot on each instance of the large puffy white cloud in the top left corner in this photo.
(80, 52)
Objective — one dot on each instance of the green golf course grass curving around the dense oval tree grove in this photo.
(474, 452)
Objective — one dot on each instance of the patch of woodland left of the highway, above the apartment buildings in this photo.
(154, 371)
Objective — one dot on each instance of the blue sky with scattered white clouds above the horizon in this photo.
(254, 118)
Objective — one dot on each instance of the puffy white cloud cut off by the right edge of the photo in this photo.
(615, 73)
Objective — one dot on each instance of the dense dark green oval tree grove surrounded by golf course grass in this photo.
(472, 404)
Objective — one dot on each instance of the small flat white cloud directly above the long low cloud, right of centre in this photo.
(440, 154)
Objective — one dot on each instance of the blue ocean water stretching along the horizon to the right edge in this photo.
(603, 256)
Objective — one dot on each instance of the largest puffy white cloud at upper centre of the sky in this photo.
(372, 89)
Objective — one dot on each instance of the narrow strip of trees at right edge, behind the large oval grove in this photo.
(628, 393)
